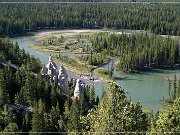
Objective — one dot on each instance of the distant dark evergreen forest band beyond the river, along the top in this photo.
(19, 18)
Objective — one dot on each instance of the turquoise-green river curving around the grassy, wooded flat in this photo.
(148, 88)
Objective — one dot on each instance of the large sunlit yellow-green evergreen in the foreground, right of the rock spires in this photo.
(116, 114)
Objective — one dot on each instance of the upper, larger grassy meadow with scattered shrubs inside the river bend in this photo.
(70, 43)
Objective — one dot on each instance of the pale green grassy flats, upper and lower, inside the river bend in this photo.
(75, 43)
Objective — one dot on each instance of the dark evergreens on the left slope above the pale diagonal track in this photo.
(12, 54)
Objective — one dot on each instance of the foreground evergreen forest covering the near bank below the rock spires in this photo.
(28, 103)
